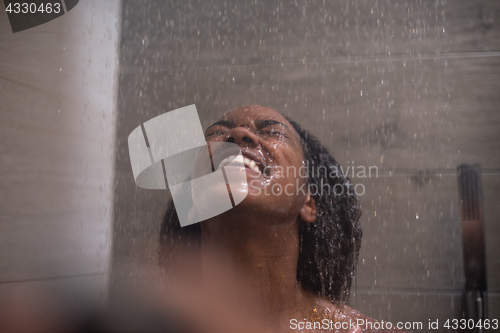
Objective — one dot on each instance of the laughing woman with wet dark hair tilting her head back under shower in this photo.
(298, 249)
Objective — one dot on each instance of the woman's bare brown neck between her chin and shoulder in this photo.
(265, 254)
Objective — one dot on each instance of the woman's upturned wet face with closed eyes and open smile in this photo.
(273, 157)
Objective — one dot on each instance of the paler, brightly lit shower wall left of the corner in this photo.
(57, 132)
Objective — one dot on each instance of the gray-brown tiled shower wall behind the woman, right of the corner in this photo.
(409, 87)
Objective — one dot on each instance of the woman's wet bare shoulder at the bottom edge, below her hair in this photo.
(347, 316)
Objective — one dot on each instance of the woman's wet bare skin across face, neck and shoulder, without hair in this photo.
(261, 233)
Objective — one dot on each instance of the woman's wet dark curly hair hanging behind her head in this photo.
(328, 248)
